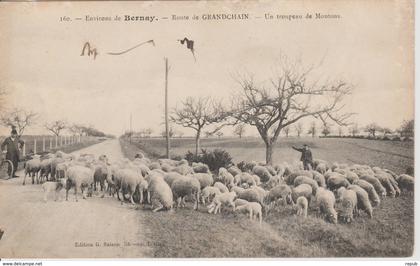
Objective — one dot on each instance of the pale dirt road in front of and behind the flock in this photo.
(96, 227)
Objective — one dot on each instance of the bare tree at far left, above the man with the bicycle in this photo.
(19, 119)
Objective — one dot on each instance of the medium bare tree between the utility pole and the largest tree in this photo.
(197, 113)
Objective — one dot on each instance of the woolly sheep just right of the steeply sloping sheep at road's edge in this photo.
(186, 186)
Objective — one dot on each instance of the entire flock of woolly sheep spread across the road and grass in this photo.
(337, 191)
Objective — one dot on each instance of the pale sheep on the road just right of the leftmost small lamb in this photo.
(78, 177)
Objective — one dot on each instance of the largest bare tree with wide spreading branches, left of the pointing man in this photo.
(289, 98)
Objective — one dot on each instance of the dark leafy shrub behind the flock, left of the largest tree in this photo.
(214, 159)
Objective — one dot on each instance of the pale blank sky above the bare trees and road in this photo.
(370, 46)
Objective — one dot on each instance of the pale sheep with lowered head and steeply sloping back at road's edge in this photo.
(161, 196)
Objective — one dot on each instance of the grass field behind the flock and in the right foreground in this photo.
(188, 233)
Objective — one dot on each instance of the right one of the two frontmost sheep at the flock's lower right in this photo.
(348, 204)
